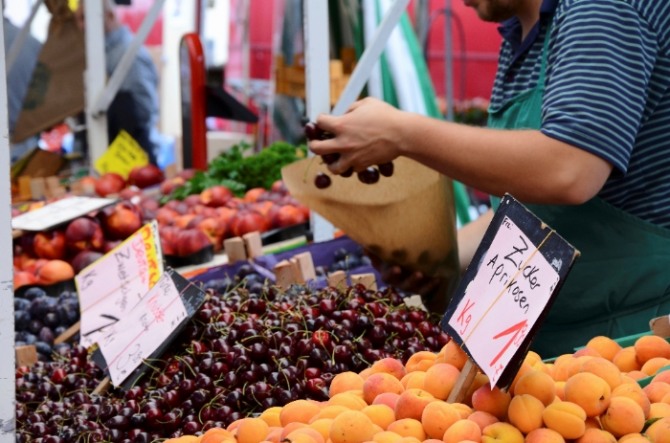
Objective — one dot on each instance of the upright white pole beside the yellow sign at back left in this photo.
(95, 80)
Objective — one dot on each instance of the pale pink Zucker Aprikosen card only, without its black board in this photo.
(507, 296)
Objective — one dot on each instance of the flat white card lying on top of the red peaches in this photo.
(58, 212)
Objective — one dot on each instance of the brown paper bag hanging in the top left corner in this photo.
(56, 89)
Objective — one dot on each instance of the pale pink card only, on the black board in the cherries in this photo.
(143, 329)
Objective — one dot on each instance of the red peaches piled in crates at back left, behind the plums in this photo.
(185, 227)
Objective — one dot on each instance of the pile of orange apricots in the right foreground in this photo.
(593, 395)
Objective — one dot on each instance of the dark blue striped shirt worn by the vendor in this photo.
(607, 92)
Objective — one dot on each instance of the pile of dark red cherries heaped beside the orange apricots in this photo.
(248, 348)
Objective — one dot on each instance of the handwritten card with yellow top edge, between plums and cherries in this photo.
(113, 285)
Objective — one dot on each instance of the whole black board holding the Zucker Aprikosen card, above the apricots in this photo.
(507, 291)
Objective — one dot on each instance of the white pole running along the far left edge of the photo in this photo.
(7, 387)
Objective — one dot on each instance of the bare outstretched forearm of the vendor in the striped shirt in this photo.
(525, 163)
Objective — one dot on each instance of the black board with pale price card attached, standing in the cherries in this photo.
(147, 329)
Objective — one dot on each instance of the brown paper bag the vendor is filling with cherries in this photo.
(408, 218)
